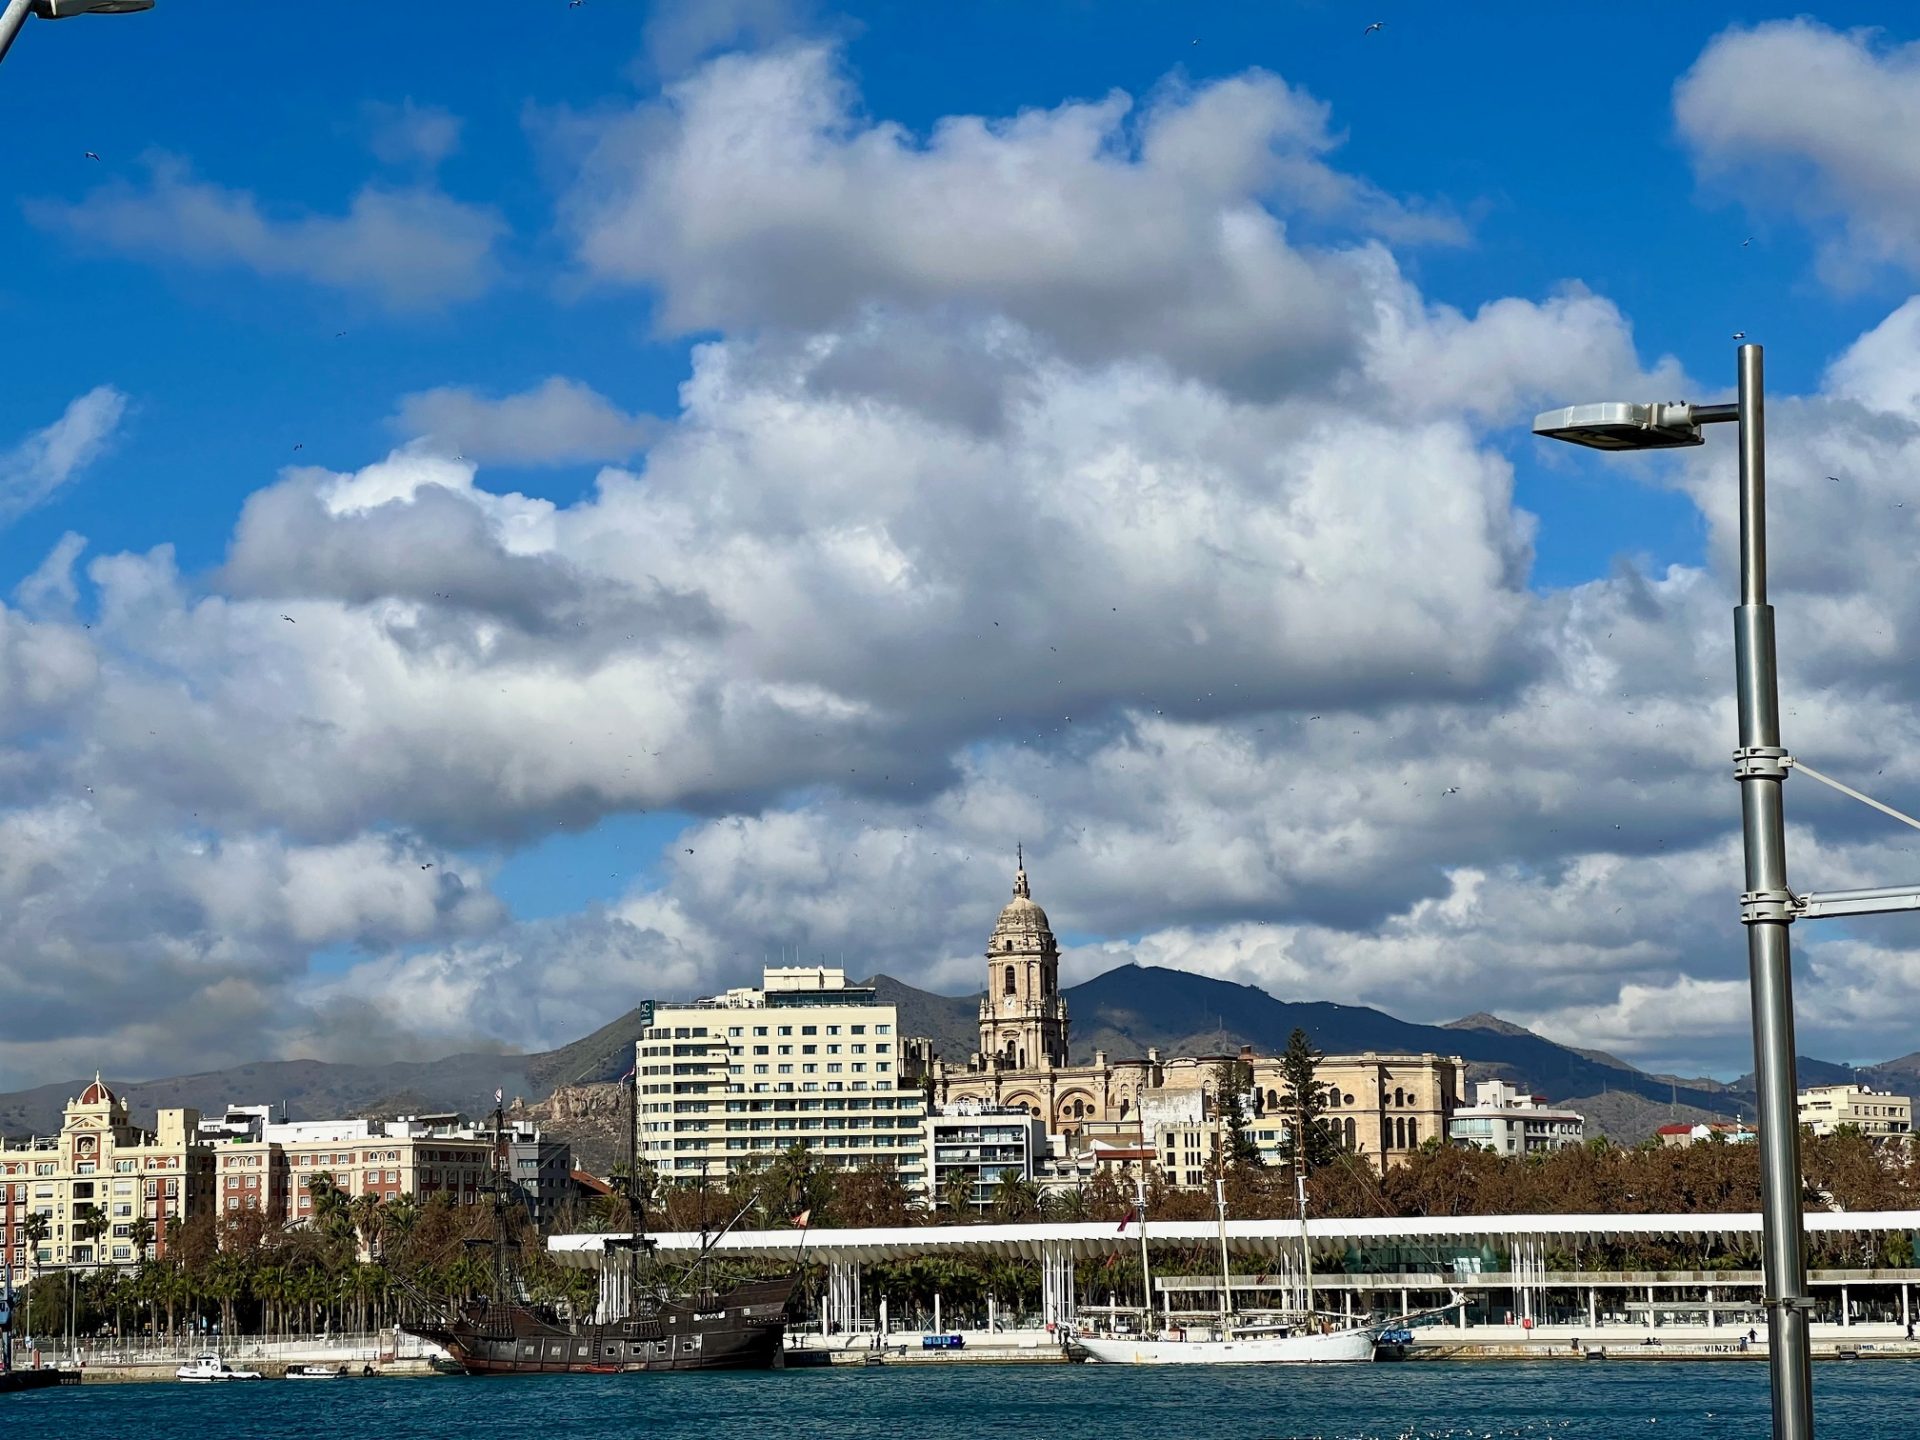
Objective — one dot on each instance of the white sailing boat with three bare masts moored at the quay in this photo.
(1307, 1341)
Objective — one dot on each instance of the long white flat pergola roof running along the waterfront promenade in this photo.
(1247, 1237)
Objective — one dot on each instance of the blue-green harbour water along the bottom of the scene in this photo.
(1082, 1403)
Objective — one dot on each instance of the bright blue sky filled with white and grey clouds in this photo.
(510, 519)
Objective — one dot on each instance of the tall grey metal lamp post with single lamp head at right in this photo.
(1765, 907)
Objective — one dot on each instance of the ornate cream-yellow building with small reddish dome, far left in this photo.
(135, 1180)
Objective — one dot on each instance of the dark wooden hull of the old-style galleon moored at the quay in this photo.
(742, 1328)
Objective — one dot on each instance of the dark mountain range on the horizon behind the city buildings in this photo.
(1124, 1013)
